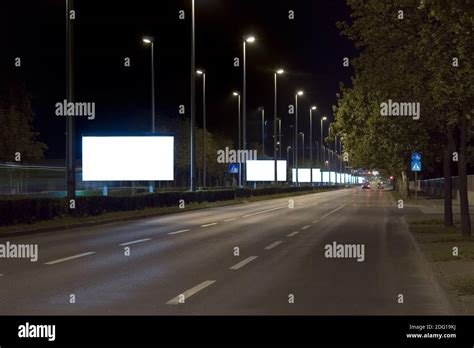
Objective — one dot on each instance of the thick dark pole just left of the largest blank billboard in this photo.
(70, 135)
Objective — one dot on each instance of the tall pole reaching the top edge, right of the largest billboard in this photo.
(193, 103)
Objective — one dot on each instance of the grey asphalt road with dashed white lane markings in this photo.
(281, 267)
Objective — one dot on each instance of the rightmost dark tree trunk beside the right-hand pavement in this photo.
(462, 171)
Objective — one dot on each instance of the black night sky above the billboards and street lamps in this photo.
(309, 48)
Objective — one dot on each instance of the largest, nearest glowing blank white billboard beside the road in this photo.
(127, 158)
